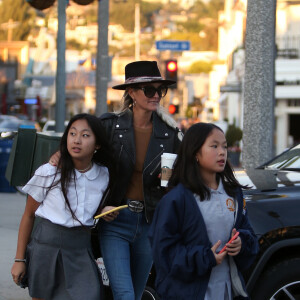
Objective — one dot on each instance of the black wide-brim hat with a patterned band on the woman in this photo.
(142, 72)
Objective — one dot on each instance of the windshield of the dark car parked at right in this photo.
(287, 160)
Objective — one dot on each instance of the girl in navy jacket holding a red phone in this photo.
(195, 220)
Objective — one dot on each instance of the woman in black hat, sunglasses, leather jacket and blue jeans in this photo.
(140, 133)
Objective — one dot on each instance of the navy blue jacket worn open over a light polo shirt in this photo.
(182, 250)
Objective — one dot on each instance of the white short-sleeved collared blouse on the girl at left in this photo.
(84, 197)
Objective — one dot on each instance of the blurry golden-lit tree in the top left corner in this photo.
(18, 11)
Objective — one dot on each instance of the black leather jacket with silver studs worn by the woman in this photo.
(164, 138)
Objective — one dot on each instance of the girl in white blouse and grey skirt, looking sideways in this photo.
(61, 263)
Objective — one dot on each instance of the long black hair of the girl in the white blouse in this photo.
(103, 156)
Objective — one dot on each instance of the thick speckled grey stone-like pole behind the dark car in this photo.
(259, 83)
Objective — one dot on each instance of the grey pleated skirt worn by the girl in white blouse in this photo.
(61, 264)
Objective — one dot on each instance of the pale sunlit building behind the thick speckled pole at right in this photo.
(287, 69)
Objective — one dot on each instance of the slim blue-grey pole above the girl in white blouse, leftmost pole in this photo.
(60, 107)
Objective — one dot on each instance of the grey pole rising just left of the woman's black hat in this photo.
(102, 71)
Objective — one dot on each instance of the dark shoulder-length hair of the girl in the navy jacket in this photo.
(186, 168)
